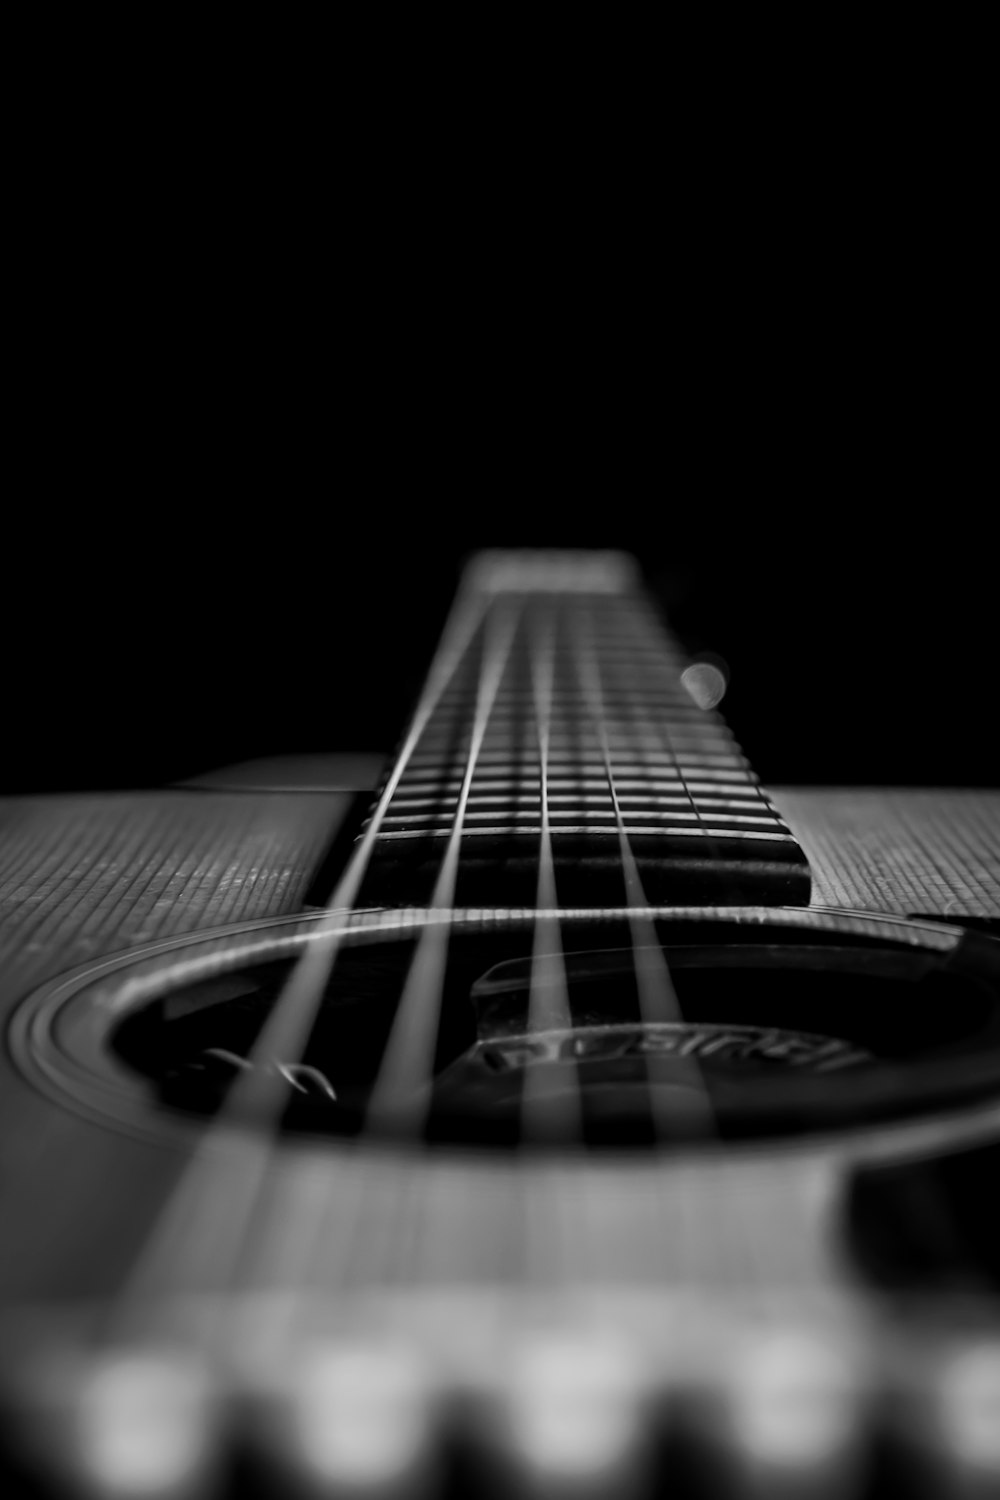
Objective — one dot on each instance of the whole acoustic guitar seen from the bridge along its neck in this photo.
(557, 1115)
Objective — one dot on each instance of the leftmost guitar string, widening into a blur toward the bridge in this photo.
(202, 1231)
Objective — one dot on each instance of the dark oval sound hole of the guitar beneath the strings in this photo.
(777, 1036)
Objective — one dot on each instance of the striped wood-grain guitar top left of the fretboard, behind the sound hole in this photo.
(86, 875)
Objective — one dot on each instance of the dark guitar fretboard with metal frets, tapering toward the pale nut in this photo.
(555, 715)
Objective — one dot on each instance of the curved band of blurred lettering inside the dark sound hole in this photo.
(755, 1048)
